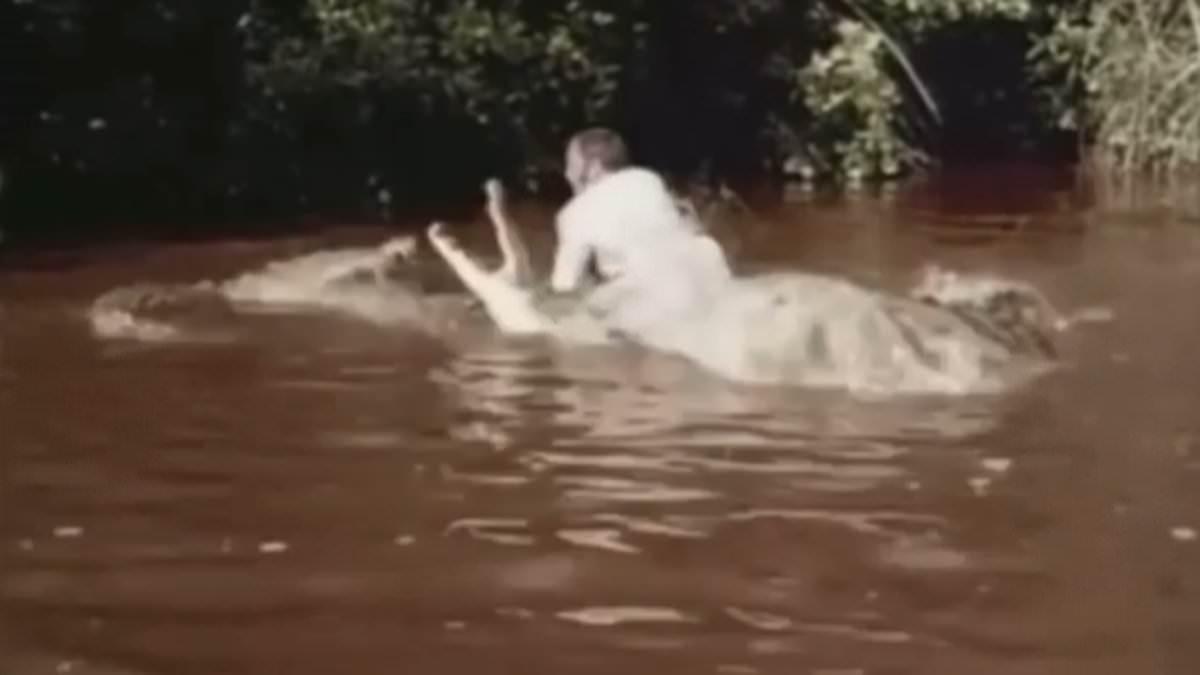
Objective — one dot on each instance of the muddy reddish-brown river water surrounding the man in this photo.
(317, 494)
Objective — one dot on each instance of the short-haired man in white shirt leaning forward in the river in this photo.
(656, 264)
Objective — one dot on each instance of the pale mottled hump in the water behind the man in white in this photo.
(964, 336)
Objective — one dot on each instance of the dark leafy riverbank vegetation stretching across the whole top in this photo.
(256, 111)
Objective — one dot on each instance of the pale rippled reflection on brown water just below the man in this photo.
(617, 428)
